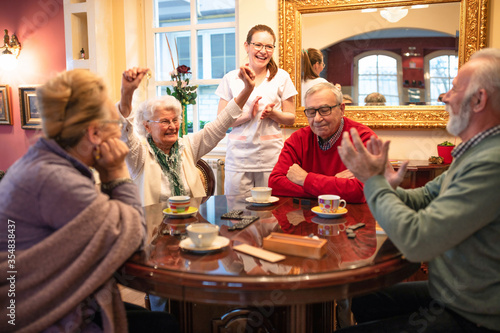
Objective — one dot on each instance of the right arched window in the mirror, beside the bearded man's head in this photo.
(440, 67)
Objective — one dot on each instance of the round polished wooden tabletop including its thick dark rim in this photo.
(350, 266)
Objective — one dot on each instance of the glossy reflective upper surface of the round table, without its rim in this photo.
(285, 216)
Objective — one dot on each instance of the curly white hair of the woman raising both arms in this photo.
(146, 111)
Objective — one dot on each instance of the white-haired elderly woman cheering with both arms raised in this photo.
(161, 163)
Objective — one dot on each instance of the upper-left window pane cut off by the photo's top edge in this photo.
(171, 13)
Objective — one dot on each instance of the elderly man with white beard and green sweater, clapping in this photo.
(453, 222)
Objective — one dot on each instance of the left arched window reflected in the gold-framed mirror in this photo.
(378, 71)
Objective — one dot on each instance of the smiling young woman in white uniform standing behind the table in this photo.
(256, 140)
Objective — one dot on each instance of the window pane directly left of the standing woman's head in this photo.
(216, 52)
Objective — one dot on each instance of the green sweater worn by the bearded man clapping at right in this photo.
(454, 223)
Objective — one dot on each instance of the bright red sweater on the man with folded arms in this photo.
(302, 148)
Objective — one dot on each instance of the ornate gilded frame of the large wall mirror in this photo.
(472, 37)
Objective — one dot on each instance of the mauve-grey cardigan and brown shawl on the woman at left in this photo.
(69, 240)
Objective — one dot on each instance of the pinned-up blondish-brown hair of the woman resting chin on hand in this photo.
(68, 103)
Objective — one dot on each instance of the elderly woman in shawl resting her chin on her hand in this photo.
(67, 238)
